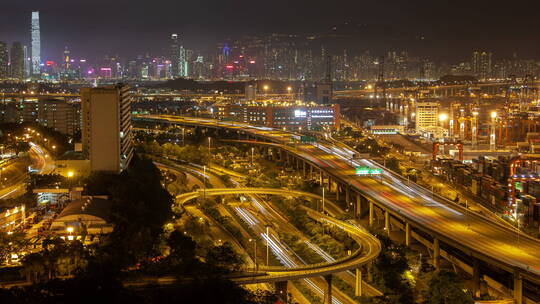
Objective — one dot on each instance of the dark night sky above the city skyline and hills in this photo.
(130, 27)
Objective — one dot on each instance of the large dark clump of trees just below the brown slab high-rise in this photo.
(141, 206)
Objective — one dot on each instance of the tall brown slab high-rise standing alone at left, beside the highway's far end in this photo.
(106, 127)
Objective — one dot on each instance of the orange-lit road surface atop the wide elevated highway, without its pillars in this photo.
(469, 232)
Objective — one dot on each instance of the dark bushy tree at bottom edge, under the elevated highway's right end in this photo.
(446, 287)
